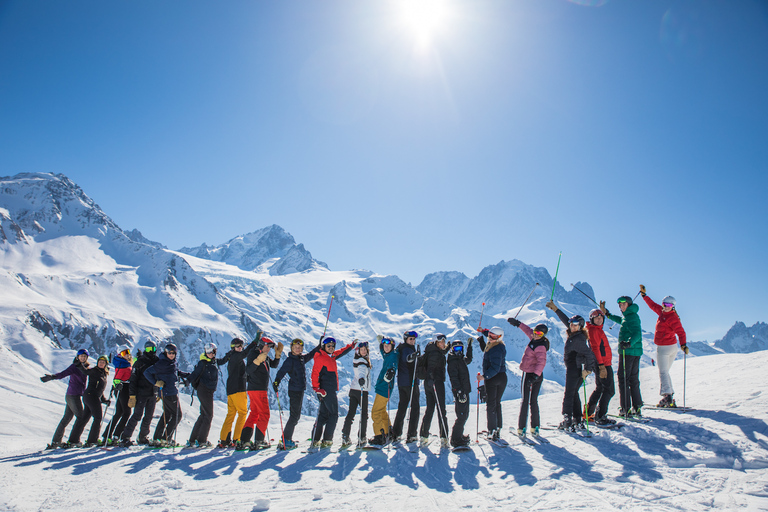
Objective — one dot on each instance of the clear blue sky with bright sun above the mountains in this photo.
(632, 136)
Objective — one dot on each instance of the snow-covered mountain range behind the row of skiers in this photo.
(69, 276)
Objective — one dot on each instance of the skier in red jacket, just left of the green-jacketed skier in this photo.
(597, 406)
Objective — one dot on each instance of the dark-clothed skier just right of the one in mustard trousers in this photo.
(408, 387)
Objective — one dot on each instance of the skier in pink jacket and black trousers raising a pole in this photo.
(532, 364)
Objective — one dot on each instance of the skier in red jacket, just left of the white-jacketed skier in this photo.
(325, 382)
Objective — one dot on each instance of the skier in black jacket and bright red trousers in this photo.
(257, 372)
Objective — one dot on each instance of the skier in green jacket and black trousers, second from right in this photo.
(630, 351)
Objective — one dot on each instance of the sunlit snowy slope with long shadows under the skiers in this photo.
(715, 456)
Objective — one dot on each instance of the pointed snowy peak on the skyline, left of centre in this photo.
(271, 248)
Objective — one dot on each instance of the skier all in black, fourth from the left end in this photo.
(141, 396)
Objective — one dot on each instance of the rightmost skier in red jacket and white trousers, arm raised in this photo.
(669, 330)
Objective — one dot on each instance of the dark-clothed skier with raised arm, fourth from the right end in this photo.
(579, 362)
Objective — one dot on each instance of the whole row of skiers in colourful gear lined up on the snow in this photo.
(150, 379)
